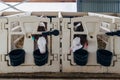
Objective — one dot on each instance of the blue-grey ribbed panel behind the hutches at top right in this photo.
(98, 6)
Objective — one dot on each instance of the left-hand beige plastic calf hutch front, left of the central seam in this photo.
(21, 29)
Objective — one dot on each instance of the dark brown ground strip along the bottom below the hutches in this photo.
(59, 76)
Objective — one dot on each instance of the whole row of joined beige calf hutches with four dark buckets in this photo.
(98, 34)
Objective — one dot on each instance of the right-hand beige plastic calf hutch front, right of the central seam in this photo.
(90, 30)
